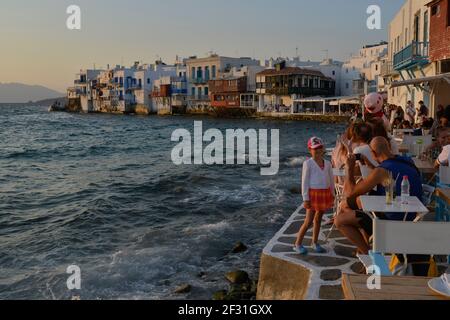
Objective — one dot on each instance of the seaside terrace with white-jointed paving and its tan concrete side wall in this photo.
(311, 277)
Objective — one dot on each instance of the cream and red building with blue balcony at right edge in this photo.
(419, 54)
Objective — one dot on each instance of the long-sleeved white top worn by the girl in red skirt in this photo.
(314, 177)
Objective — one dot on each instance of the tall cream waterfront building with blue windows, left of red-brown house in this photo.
(201, 70)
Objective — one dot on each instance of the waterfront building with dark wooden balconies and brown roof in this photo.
(277, 88)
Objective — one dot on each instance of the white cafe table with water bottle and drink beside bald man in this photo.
(377, 204)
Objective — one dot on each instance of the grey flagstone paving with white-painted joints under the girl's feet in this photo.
(326, 269)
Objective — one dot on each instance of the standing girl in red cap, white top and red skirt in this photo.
(318, 194)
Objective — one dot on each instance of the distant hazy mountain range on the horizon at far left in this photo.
(23, 93)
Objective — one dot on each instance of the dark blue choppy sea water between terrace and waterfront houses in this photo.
(101, 192)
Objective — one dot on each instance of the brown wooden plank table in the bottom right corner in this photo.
(392, 288)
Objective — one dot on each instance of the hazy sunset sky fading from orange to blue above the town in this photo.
(37, 48)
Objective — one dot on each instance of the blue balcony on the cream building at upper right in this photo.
(413, 55)
